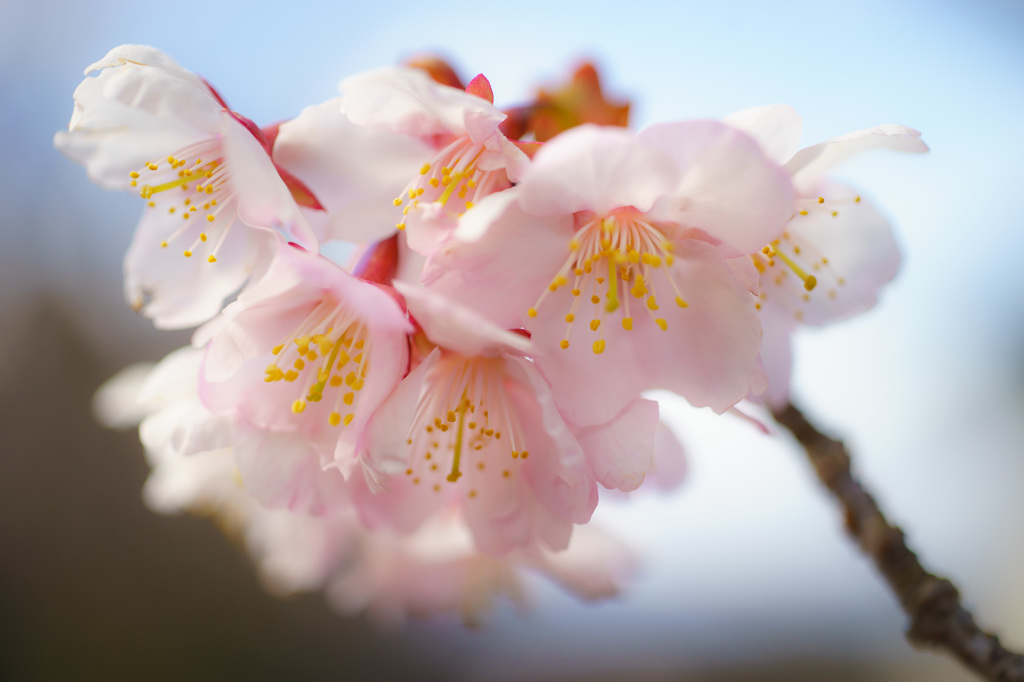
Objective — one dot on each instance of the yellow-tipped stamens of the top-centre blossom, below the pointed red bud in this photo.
(453, 180)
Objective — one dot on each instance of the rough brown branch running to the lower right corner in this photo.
(937, 618)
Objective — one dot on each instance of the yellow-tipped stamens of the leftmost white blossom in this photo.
(192, 184)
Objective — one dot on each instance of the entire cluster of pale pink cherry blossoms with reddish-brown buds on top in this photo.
(411, 430)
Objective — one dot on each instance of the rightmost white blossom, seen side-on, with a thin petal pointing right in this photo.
(836, 253)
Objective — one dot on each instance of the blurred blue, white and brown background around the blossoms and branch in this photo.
(747, 574)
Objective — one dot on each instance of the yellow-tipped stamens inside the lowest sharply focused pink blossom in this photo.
(465, 424)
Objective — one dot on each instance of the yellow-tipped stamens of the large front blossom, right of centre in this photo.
(614, 260)
